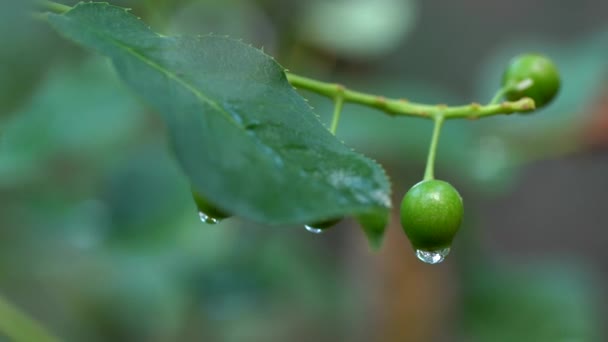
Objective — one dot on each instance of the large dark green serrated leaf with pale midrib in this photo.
(247, 141)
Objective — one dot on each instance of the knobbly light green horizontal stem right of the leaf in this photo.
(406, 108)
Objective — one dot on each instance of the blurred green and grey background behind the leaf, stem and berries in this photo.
(100, 241)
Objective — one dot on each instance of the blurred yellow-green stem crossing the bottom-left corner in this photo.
(18, 327)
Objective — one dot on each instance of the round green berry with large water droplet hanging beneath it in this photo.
(431, 213)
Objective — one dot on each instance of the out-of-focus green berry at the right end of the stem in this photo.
(531, 75)
